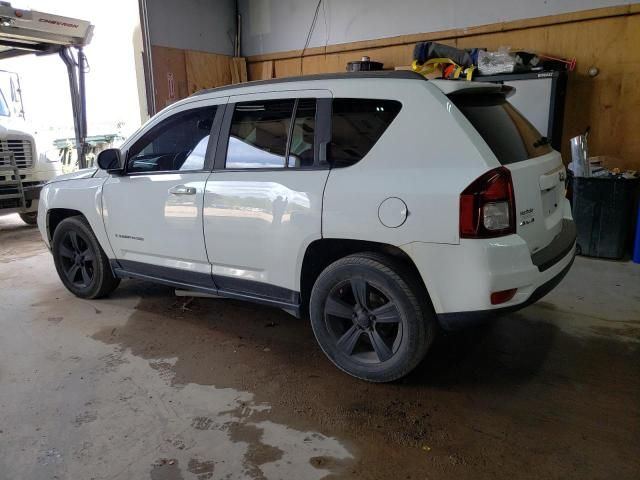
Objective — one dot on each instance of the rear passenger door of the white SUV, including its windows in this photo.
(263, 201)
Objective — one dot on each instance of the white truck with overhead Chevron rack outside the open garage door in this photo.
(23, 170)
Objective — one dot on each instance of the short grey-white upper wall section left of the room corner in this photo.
(205, 25)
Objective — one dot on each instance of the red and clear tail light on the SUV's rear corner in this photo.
(488, 207)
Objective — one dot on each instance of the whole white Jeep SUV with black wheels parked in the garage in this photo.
(380, 203)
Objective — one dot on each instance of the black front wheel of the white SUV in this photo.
(81, 264)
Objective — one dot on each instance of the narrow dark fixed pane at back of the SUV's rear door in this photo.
(301, 150)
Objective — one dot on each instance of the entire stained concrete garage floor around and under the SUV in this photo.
(144, 385)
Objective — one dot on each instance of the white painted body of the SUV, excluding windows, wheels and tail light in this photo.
(247, 233)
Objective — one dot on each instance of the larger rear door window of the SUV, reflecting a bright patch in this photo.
(259, 133)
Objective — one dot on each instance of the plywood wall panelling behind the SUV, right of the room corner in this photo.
(606, 38)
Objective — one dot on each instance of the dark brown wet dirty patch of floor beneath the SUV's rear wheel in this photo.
(518, 398)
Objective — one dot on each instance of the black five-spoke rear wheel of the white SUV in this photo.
(370, 317)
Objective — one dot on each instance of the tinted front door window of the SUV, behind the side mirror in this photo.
(178, 143)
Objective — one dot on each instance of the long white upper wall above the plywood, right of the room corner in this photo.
(279, 25)
